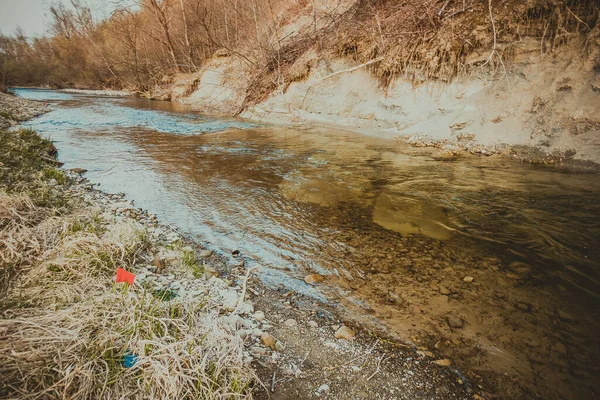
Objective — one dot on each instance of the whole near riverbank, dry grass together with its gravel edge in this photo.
(62, 241)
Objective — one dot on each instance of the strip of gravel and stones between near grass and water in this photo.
(300, 348)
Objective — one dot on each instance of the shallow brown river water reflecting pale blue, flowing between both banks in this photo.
(394, 230)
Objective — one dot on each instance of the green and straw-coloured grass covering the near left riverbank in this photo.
(66, 329)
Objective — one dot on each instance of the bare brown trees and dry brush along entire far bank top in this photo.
(147, 42)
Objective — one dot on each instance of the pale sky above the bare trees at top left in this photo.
(33, 16)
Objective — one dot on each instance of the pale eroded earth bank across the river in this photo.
(540, 101)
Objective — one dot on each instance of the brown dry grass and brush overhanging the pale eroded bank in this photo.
(428, 40)
